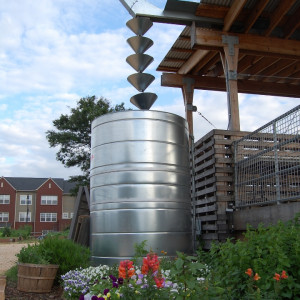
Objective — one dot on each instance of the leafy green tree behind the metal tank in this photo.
(73, 134)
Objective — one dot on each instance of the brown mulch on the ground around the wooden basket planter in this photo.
(11, 293)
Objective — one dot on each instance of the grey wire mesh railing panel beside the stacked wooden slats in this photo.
(267, 162)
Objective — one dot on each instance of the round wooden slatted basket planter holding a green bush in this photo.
(35, 278)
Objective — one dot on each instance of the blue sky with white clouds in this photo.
(54, 52)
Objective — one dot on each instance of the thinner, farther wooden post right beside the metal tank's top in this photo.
(188, 96)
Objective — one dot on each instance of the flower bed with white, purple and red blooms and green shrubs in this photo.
(263, 266)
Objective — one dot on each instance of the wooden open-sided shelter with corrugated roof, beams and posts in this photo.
(250, 46)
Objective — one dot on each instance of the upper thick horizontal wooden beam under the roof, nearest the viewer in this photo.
(213, 38)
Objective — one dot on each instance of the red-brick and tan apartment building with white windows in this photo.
(44, 203)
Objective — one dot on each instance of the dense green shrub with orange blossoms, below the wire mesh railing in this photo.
(267, 250)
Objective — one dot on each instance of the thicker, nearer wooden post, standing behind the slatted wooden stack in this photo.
(230, 62)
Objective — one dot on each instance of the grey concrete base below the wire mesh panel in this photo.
(268, 215)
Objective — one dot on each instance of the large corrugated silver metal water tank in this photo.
(140, 184)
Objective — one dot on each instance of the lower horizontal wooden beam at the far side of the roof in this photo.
(244, 86)
